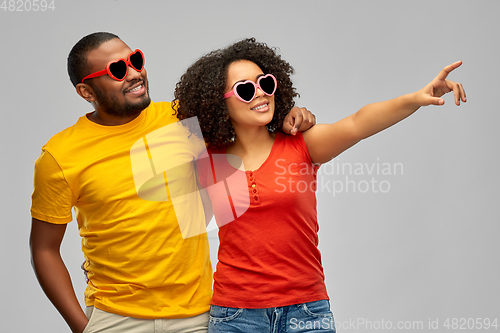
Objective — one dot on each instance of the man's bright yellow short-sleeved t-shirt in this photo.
(141, 261)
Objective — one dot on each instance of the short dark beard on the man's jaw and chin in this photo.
(113, 107)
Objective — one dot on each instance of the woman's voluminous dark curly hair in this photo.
(200, 91)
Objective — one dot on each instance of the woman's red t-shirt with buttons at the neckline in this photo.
(269, 256)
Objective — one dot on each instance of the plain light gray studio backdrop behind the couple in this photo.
(408, 219)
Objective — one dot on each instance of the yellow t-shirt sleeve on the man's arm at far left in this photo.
(52, 198)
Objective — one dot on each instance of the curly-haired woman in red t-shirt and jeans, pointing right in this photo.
(269, 277)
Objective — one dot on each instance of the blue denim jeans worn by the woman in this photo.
(298, 318)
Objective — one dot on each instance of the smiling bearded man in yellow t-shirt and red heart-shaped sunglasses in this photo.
(146, 269)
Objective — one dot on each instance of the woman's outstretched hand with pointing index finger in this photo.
(431, 93)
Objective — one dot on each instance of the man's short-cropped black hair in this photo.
(78, 65)
